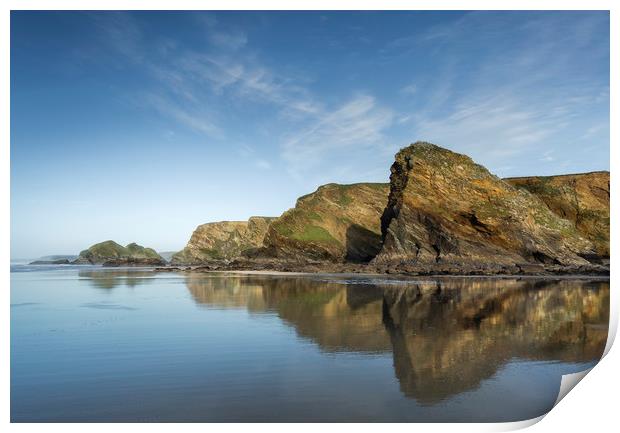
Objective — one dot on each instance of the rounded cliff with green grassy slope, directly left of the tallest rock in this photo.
(334, 223)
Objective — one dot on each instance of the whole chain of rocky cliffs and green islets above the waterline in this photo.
(441, 213)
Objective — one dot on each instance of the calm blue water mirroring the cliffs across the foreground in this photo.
(89, 344)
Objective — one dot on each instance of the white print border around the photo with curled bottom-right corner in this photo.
(591, 408)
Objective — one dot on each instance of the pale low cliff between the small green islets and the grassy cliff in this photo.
(225, 240)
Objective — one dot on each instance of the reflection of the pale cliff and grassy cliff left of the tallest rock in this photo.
(335, 316)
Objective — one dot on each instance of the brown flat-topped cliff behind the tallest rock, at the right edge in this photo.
(583, 199)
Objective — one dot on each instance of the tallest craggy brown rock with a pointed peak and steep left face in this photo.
(448, 213)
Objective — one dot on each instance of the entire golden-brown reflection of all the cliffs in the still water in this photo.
(446, 335)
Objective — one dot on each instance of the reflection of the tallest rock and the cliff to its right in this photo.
(449, 336)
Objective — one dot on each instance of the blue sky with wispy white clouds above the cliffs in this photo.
(139, 126)
